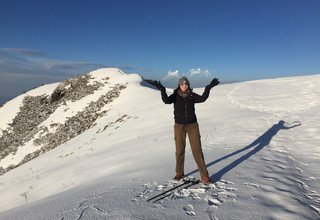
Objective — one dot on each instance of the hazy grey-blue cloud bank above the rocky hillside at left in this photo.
(23, 69)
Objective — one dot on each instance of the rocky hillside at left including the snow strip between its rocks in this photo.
(81, 99)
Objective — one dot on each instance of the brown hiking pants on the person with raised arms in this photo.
(180, 133)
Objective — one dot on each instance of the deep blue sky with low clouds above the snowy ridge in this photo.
(44, 41)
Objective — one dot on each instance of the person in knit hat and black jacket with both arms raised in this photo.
(184, 100)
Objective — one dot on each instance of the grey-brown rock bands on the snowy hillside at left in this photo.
(36, 109)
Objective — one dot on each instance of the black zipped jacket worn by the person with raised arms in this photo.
(184, 111)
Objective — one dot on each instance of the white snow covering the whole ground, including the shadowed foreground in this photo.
(260, 141)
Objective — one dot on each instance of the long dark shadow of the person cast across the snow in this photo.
(259, 144)
